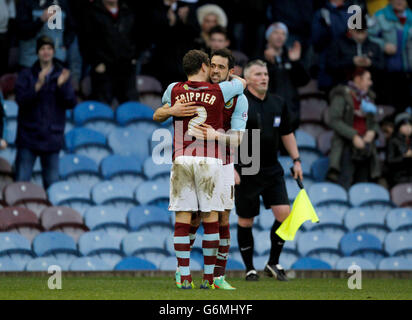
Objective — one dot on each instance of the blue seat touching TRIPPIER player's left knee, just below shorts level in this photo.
(144, 216)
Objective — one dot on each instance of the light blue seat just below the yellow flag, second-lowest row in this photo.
(319, 245)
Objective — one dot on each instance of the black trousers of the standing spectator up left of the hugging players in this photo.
(117, 82)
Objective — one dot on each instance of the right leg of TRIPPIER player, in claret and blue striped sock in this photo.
(210, 245)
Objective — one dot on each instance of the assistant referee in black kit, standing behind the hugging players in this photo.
(269, 113)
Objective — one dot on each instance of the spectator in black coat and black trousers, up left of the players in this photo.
(112, 51)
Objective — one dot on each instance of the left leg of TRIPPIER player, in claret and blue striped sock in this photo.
(182, 247)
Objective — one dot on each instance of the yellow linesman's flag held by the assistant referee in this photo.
(302, 210)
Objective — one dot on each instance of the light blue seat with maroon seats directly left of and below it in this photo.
(72, 194)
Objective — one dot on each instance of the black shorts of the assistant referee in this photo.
(268, 183)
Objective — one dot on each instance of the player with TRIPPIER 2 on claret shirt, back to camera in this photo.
(195, 180)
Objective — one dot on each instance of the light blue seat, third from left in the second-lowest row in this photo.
(101, 244)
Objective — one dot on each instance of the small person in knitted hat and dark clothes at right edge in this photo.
(399, 151)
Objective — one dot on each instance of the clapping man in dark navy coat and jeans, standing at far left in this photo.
(43, 93)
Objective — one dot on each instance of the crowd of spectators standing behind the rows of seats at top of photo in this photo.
(110, 42)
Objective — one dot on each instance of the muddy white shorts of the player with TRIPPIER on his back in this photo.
(196, 184)
